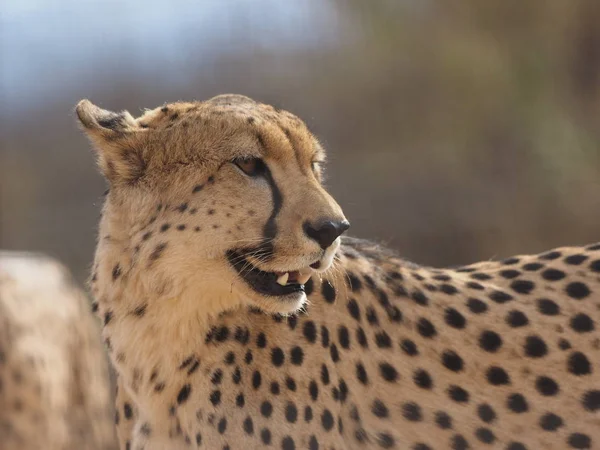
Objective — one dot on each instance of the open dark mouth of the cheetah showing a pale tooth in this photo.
(274, 284)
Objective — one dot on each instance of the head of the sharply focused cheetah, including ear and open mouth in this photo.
(222, 196)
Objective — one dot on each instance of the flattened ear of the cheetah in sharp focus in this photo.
(116, 139)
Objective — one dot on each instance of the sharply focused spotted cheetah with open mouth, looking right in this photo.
(237, 316)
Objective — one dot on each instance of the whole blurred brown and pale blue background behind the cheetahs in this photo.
(457, 131)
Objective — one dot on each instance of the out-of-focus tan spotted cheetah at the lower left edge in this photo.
(54, 379)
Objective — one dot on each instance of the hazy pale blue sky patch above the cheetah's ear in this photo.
(48, 46)
